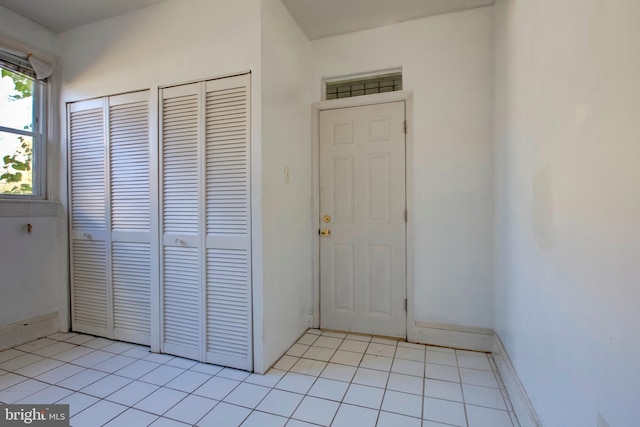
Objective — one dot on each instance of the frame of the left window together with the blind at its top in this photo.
(38, 133)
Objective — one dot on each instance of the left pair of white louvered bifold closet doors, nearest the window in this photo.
(110, 213)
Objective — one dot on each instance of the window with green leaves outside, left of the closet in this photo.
(22, 145)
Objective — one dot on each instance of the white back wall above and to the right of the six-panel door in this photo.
(446, 62)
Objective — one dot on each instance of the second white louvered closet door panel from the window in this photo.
(129, 166)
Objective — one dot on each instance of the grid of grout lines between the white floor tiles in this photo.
(245, 379)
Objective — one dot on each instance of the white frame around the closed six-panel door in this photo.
(358, 101)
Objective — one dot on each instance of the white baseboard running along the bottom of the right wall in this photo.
(520, 401)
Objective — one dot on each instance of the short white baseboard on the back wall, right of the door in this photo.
(462, 337)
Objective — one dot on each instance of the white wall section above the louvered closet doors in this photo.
(161, 45)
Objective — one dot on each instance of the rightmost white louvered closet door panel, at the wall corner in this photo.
(228, 236)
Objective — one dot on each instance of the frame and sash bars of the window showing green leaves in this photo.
(39, 142)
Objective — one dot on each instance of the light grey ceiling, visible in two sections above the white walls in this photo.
(317, 18)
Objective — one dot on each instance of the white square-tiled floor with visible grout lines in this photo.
(326, 378)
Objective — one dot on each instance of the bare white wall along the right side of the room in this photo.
(567, 96)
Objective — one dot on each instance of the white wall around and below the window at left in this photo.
(33, 266)
